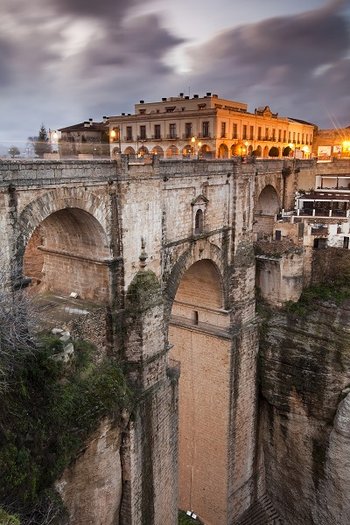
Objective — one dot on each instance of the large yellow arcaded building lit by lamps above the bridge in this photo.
(209, 127)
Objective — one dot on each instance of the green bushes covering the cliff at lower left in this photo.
(47, 412)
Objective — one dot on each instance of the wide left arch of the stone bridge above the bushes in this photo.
(64, 247)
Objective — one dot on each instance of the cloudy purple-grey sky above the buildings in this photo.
(64, 61)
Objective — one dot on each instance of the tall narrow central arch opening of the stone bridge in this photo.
(199, 333)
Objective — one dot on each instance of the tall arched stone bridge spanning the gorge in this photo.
(166, 247)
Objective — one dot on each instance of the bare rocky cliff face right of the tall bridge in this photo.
(305, 413)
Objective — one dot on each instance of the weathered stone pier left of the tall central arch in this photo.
(149, 452)
